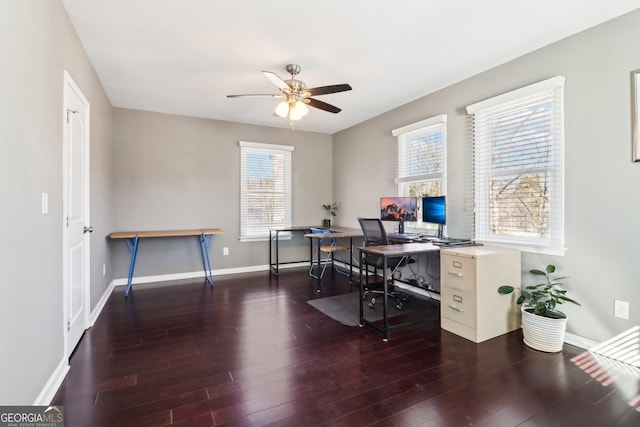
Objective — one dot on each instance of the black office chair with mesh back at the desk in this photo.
(374, 235)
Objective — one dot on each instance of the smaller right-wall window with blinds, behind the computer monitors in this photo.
(421, 160)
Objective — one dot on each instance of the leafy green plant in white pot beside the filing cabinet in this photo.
(543, 325)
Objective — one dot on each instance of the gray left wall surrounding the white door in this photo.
(38, 44)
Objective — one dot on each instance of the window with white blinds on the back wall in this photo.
(265, 189)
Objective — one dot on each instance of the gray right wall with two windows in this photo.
(602, 205)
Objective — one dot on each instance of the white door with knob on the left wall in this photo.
(75, 214)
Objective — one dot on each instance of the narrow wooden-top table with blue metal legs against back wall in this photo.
(132, 238)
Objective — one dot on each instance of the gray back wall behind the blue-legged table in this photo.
(173, 172)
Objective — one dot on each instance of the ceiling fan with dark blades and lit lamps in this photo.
(296, 94)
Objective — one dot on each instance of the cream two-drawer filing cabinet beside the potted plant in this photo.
(469, 279)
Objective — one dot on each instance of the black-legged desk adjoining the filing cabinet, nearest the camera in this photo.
(388, 251)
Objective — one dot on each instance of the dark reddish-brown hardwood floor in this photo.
(252, 352)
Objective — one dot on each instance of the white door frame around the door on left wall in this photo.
(69, 84)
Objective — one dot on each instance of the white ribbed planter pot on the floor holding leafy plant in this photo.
(543, 333)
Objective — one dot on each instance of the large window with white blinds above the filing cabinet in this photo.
(518, 167)
